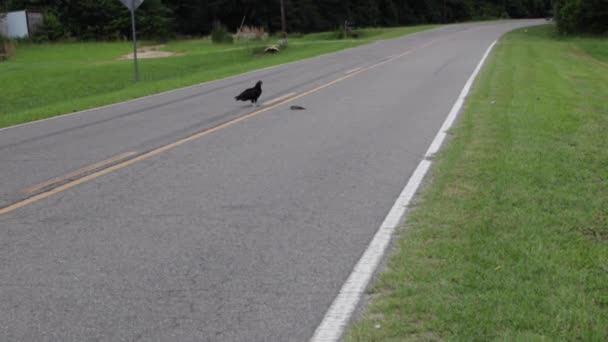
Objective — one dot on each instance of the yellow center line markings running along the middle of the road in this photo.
(162, 149)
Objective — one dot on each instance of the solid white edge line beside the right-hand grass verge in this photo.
(339, 313)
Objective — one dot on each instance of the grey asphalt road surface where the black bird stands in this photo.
(243, 233)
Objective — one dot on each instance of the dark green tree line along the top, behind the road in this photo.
(109, 19)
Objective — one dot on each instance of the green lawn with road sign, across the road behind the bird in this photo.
(45, 80)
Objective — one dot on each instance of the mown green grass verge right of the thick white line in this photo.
(509, 238)
